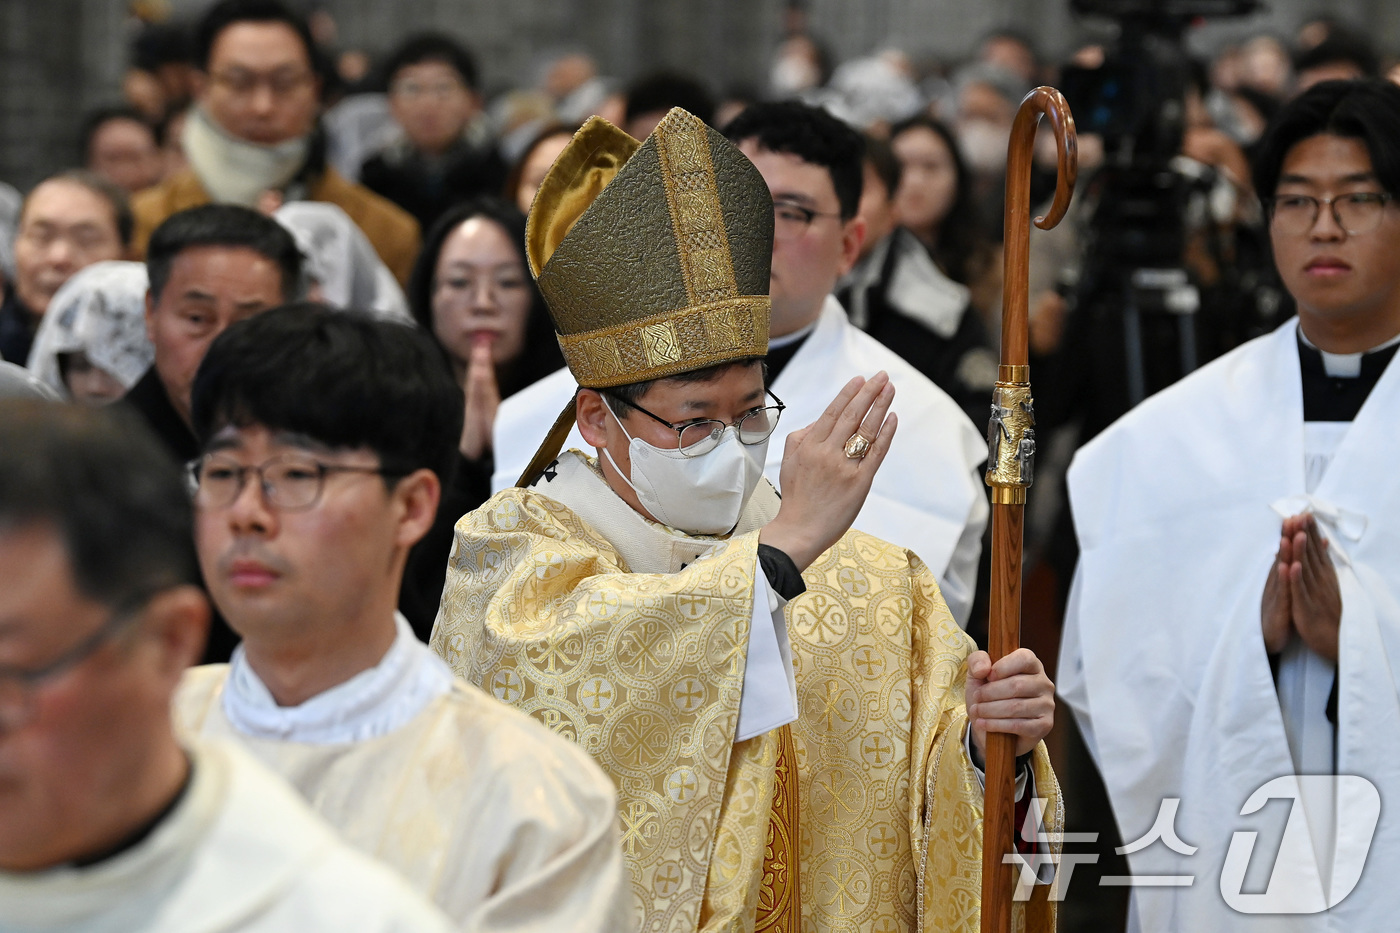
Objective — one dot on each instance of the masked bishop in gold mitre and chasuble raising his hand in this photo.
(748, 670)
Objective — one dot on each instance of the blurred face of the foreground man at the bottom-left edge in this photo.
(73, 742)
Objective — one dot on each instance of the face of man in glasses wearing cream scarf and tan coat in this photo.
(261, 85)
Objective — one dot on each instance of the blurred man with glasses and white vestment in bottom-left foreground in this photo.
(107, 820)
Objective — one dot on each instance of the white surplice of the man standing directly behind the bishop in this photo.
(927, 495)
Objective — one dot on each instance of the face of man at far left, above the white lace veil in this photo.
(65, 228)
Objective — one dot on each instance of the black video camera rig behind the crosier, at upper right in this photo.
(1136, 275)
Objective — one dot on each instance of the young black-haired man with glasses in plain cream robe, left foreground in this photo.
(324, 438)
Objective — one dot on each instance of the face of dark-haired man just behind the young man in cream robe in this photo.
(209, 288)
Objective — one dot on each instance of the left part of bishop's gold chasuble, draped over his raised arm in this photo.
(645, 672)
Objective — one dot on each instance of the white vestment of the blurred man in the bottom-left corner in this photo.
(240, 852)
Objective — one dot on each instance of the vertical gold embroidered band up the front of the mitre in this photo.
(696, 216)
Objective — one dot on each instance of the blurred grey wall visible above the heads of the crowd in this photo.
(59, 58)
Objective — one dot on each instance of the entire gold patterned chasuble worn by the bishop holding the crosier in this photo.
(646, 672)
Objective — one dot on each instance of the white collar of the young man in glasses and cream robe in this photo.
(372, 704)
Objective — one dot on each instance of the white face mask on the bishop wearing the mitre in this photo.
(699, 495)
